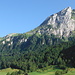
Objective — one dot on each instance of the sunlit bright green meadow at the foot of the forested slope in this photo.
(45, 72)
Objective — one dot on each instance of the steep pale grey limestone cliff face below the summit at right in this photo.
(60, 24)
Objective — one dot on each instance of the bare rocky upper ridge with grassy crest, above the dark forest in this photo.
(60, 24)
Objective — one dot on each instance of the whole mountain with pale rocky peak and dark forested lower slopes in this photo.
(42, 46)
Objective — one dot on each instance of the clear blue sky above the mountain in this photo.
(20, 16)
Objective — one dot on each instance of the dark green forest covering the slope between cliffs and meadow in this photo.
(35, 56)
